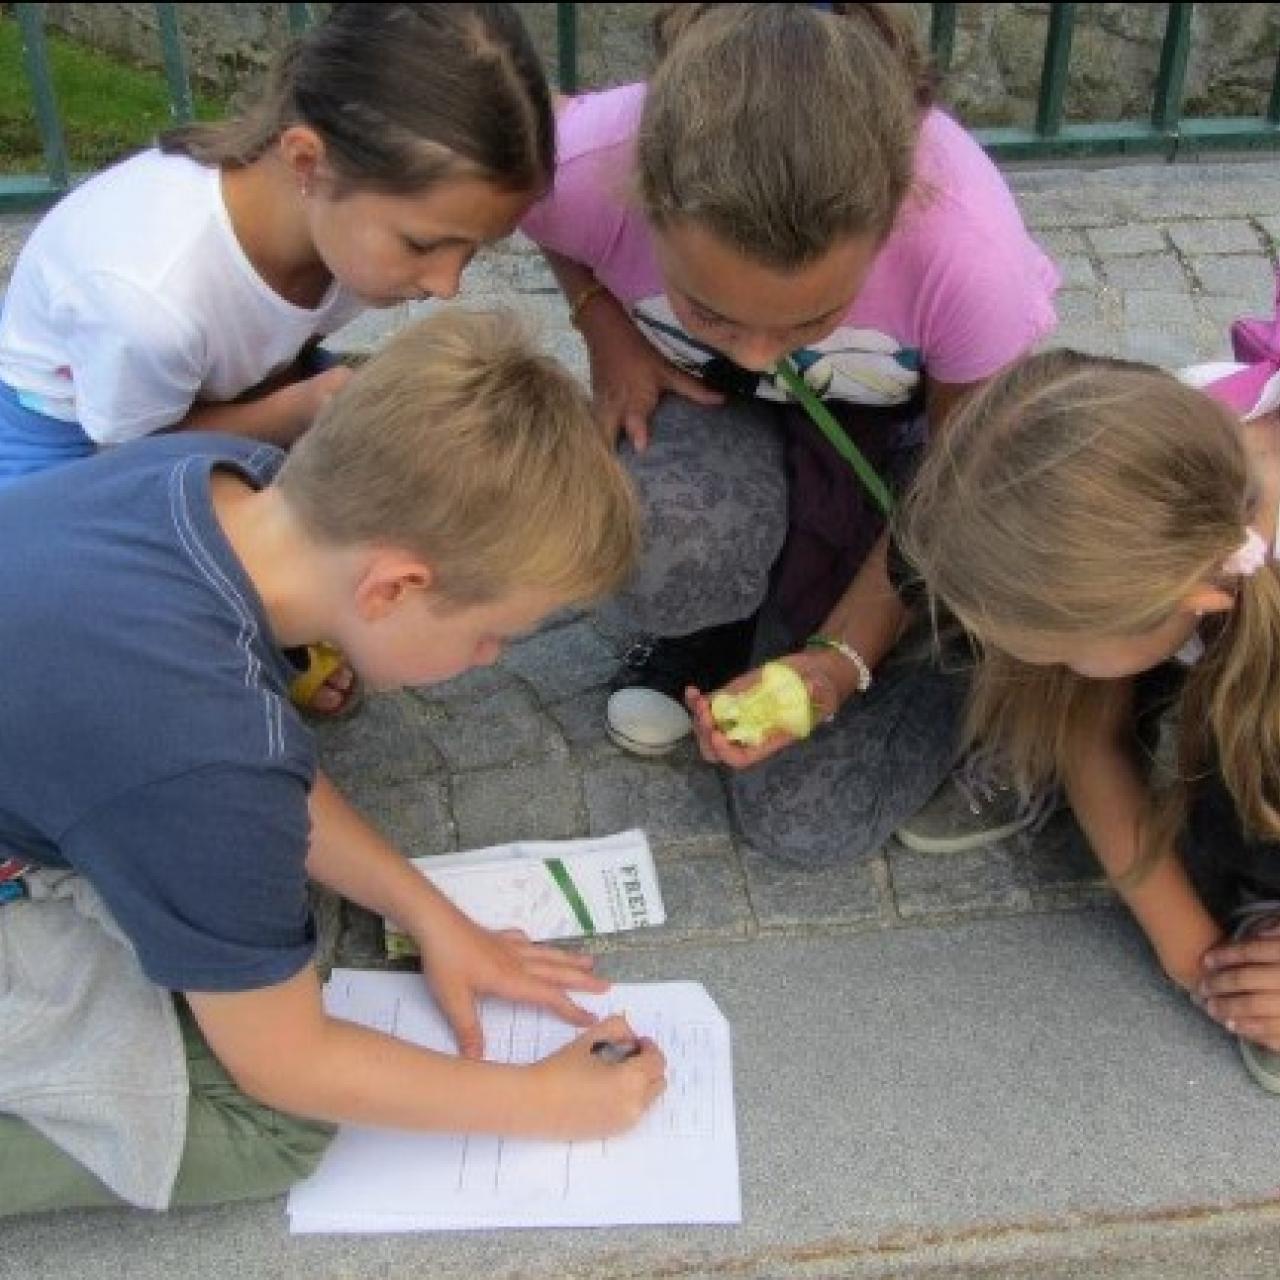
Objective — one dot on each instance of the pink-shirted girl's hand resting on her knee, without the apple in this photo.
(629, 376)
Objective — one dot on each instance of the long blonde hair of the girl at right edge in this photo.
(1087, 497)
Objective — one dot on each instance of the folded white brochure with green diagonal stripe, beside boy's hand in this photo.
(551, 889)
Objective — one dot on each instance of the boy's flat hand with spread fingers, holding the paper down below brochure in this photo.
(464, 962)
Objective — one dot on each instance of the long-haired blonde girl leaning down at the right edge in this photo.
(1105, 533)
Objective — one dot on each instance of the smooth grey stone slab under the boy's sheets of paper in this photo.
(927, 1101)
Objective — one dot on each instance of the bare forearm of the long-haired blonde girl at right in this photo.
(1109, 798)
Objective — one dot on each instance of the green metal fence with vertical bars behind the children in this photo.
(1164, 134)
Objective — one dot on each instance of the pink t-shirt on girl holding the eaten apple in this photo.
(959, 289)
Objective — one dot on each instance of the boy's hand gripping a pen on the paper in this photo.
(583, 1096)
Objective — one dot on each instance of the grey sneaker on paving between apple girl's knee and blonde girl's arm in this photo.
(976, 807)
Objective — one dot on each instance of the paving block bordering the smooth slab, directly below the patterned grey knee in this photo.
(785, 897)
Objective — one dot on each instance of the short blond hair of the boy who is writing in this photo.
(464, 445)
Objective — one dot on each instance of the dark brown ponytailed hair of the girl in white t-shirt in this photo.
(404, 97)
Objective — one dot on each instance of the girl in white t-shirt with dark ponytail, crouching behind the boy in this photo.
(189, 287)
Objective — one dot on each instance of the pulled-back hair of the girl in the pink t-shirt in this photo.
(780, 129)
